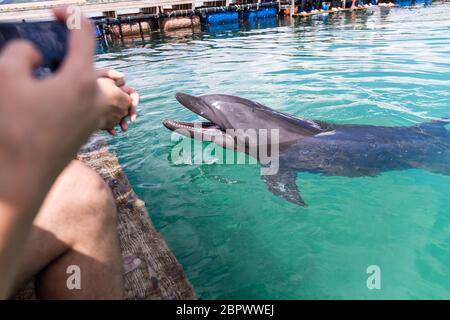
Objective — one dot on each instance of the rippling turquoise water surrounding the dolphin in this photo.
(232, 236)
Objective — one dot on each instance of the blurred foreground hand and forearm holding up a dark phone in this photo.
(43, 122)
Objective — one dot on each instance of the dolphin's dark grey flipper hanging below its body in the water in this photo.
(283, 185)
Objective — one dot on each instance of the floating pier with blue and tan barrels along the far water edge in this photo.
(116, 19)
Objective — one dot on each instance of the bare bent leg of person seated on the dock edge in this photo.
(76, 226)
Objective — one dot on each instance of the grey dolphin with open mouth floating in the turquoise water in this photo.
(320, 147)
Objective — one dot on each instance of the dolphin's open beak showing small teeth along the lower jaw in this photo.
(202, 130)
